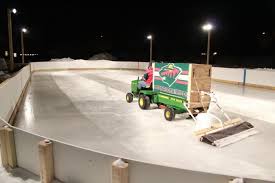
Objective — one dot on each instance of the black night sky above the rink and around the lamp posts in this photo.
(79, 30)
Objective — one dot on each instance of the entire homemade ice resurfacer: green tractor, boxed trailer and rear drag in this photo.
(186, 88)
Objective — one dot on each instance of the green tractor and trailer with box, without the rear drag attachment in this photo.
(177, 87)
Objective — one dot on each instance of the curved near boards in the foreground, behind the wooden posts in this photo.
(74, 164)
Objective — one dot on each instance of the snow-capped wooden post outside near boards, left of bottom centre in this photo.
(120, 172)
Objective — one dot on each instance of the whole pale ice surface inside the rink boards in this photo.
(88, 109)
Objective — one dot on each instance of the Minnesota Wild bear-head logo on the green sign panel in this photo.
(169, 74)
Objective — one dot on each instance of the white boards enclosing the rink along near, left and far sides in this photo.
(76, 164)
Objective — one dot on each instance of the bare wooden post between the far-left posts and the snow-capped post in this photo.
(46, 161)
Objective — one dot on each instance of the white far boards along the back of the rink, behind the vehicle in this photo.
(257, 77)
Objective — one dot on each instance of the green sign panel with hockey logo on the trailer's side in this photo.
(171, 78)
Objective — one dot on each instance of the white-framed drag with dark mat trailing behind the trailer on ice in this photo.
(221, 133)
